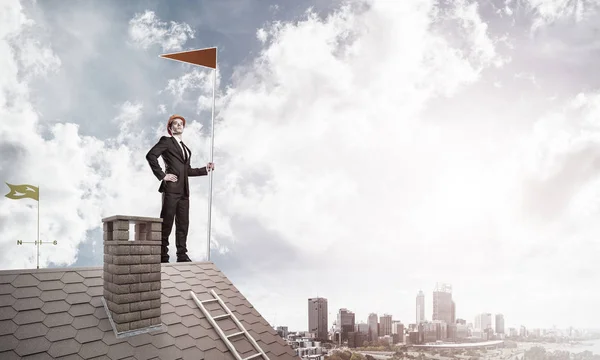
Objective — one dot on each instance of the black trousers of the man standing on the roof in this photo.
(175, 207)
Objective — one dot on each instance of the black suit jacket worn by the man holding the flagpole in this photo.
(169, 149)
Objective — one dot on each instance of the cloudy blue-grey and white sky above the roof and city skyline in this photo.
(364, 149)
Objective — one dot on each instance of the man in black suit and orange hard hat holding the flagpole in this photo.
(174, 185)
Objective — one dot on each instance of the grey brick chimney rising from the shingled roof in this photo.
(132, 274)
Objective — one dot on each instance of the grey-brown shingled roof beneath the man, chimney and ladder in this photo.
(58, 314)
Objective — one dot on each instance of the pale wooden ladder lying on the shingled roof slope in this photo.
(228, 315)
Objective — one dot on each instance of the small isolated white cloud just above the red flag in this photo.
(146, 30)
